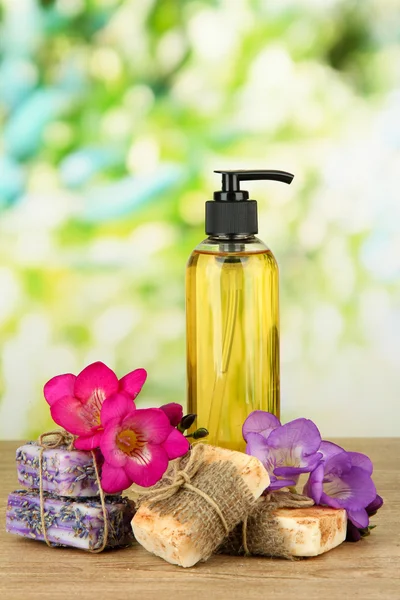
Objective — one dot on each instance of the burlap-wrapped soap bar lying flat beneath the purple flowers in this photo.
(285, 525)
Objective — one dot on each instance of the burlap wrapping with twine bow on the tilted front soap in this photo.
(211, 498)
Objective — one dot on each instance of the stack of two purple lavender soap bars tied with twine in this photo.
(73, 514)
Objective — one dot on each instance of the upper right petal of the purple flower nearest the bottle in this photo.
(300, 436)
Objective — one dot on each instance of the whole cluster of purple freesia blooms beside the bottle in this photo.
(337, 478)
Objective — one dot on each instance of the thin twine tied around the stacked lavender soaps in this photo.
(58, 438)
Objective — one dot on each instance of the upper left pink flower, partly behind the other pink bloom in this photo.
(76, 401)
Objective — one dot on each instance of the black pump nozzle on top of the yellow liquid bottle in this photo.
(232, 213)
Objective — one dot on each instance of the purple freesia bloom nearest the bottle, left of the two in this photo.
(286, 451)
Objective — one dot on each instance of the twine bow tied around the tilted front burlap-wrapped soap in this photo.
(181, 479)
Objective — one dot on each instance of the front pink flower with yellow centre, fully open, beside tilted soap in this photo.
(136, 444)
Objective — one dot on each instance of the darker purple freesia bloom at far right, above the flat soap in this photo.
(343, 480)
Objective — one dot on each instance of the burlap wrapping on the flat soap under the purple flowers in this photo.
(259, 534)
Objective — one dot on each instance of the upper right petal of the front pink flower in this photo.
(151, 423)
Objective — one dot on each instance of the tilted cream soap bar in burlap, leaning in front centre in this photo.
(183, 526)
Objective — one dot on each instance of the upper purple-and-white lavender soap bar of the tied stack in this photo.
(65, 472)
